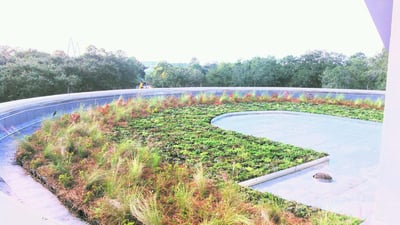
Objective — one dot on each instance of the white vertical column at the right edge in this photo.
(387, 205)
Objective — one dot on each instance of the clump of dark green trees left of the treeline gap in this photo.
(30, 73)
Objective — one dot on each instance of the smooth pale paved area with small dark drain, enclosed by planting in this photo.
(353, 146)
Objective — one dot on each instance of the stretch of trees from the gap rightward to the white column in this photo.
(315, 69)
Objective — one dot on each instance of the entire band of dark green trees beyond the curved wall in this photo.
(30, 73)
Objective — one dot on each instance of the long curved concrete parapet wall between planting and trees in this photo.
(20, 114)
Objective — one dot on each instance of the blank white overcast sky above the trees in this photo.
(178, 30)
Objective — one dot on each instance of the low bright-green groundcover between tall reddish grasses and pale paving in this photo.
(185, 135)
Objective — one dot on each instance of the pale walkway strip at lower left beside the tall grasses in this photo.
(22, 199)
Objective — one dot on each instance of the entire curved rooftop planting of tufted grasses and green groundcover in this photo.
(160, 161)
